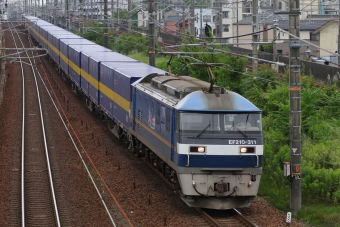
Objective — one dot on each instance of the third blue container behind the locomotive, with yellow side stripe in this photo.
(74, 53)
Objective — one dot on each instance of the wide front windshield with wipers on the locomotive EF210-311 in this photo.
(218, 123)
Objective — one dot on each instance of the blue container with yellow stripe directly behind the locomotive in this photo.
(115, 87)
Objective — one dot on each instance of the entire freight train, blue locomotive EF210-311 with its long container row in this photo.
(204, 139)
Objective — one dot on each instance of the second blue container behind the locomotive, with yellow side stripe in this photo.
(91, 70)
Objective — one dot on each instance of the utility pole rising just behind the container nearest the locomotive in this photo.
(152, 52)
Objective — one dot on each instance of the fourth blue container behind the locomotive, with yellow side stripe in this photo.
(63, 48)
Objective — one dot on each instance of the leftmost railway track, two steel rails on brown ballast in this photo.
(38, 204)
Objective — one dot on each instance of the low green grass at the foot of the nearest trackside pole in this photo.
(318, 213)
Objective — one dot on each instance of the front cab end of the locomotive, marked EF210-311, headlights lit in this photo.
(219, 150)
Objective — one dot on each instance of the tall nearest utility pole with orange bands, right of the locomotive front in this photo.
(295, 106)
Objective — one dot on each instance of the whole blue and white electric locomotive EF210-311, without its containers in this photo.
(209, 144)
